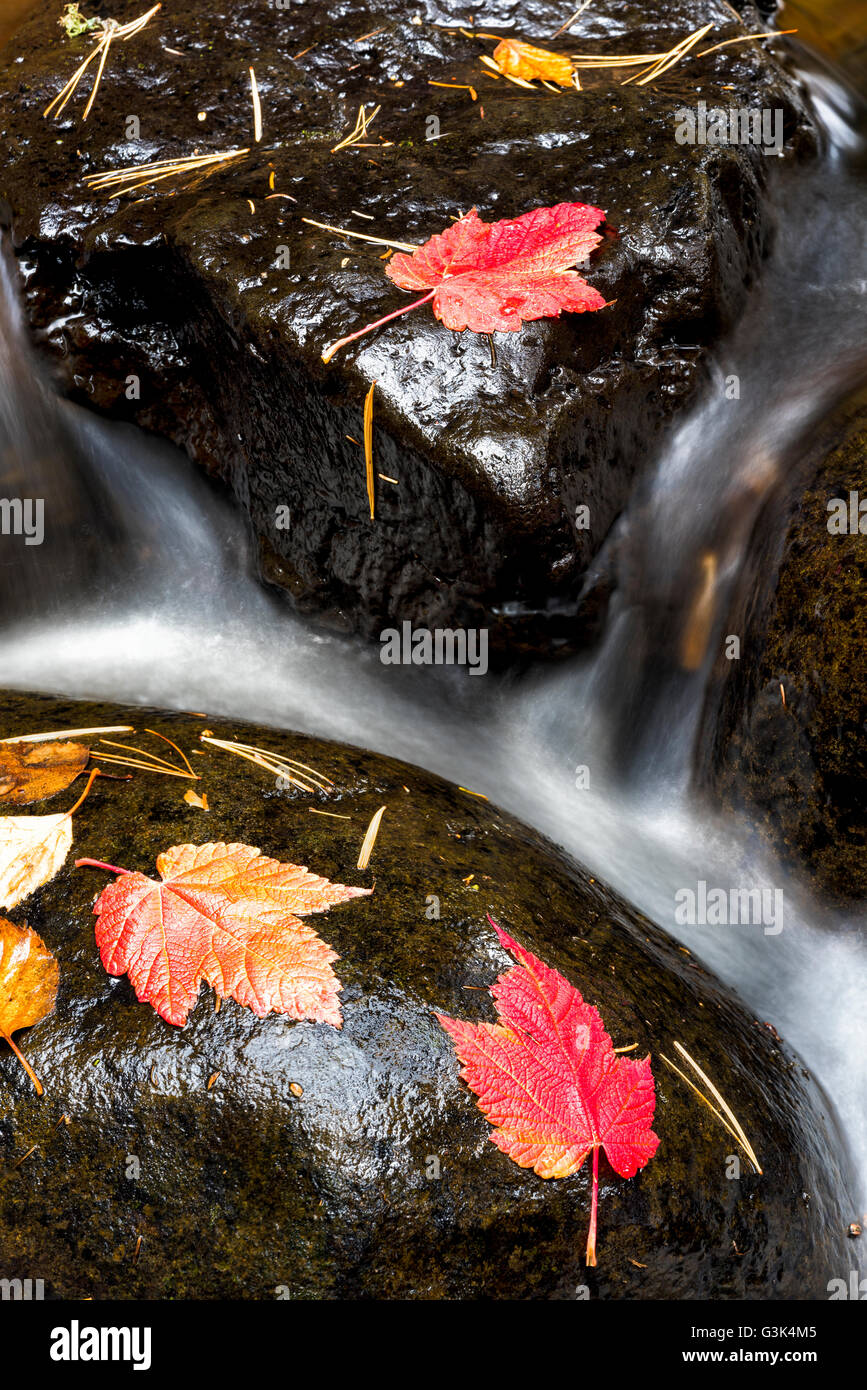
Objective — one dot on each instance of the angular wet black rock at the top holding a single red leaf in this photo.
(187, 290)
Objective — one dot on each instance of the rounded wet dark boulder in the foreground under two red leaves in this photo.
(355, 1164)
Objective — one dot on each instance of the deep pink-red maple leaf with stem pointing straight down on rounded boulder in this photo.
(550, 1081)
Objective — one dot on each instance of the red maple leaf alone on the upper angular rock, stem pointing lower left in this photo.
(493, 277)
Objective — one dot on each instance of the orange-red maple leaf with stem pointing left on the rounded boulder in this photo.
(227, 915)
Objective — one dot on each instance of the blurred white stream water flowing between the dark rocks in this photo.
(144, 591)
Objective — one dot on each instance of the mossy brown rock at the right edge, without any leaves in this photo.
(783, 737)
